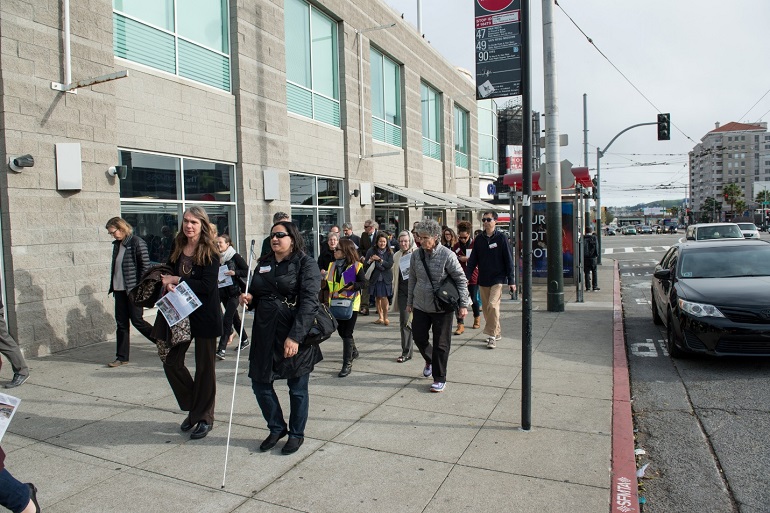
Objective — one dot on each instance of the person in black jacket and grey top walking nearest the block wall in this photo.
(129, 261)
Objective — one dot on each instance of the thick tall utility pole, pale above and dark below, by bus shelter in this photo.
(552, 166)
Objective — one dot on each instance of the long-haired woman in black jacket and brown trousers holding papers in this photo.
(195, 261)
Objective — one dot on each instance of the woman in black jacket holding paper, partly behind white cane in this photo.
(237, 268)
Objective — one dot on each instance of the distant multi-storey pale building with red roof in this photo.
(736, 153)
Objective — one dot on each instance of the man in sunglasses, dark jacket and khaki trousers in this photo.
(492, 255)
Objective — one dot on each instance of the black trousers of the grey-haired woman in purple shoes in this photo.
(438, 353)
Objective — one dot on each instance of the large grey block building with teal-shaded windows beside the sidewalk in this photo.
(333, 111)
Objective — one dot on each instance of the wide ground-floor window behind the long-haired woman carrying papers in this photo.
(159, 188)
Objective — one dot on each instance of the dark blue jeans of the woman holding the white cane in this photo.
(299, 402)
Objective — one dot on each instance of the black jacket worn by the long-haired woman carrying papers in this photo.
(206, 321)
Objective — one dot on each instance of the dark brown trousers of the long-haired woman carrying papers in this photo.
(194, 395)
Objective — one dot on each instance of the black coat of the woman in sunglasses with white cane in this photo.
(295, 279)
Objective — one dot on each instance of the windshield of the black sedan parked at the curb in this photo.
(725, 262)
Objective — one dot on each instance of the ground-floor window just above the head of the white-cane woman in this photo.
(316, 206)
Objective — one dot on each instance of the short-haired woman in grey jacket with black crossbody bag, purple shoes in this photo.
(440, 261)
